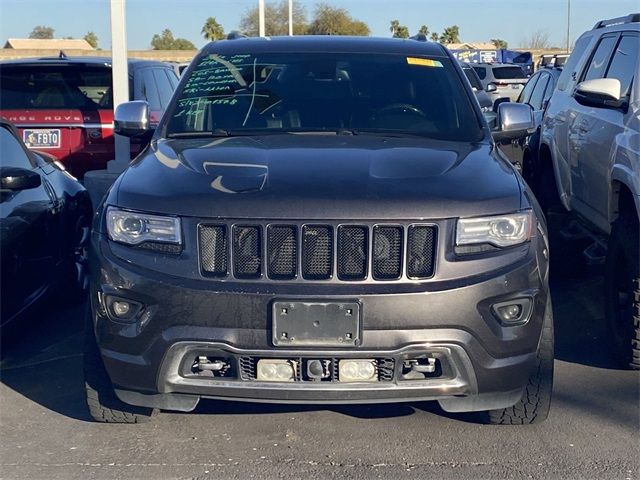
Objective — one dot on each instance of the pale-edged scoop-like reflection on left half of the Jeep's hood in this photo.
(237, 177)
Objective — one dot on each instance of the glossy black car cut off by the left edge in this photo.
(45, 219)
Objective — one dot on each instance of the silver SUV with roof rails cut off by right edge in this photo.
(590, 150)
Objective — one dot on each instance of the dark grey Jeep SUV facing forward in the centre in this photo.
(320, 220)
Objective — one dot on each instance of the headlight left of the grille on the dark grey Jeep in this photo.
(134, 228)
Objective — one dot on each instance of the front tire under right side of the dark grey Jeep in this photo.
(534, 405)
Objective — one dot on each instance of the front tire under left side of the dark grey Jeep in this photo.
(104, 405)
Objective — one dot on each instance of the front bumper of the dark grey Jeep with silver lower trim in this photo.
(483, 365)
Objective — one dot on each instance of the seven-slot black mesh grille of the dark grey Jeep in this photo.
(317, 252)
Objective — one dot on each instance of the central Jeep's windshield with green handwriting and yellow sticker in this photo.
(298, 92)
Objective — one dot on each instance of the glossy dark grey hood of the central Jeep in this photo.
(305, 176)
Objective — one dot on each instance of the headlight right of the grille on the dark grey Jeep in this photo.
(501, 231)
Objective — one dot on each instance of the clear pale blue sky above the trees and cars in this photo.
(479, 20)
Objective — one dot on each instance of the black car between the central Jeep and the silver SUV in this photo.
(523, 152)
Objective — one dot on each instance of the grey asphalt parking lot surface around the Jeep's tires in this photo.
(592, 431)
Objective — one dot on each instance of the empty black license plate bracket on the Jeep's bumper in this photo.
(315, 324)
